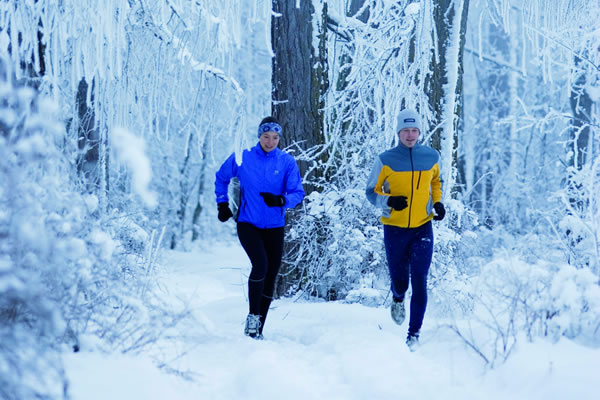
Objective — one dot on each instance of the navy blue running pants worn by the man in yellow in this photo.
(409, 252)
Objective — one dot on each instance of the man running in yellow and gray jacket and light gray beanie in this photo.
(405, 183)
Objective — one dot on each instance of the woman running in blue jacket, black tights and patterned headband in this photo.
(269, 183)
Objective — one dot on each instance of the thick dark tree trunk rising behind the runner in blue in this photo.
(299, 80)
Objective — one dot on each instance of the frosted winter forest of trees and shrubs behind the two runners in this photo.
(114, 116)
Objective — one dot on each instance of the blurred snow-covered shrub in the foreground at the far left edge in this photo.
(35, 241)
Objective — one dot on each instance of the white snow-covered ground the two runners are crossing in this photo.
(314, 350)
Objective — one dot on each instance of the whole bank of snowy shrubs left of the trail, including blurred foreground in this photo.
(65, 268)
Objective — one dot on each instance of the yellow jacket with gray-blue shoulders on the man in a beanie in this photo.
(411, 172)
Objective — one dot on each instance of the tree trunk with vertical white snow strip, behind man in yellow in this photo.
(445, 86)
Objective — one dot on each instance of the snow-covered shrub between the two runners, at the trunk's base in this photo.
(337, 240)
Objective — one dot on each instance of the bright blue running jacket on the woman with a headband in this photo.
(274, 172)
